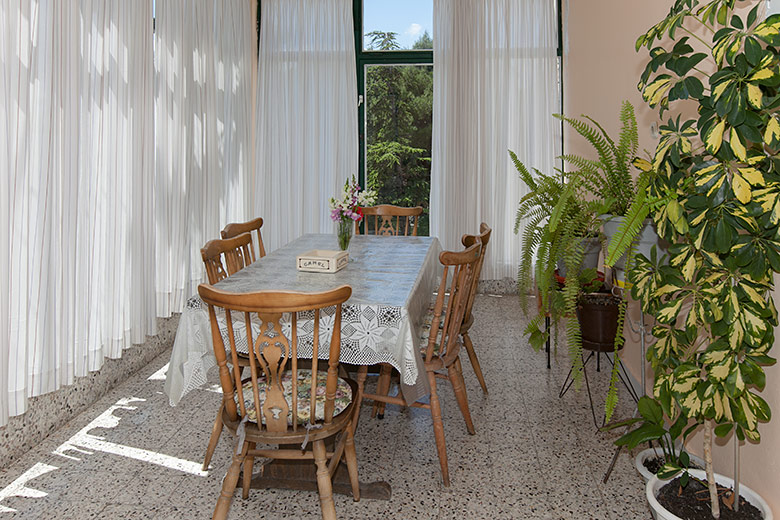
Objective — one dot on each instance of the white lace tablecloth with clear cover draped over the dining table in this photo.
(392, 280)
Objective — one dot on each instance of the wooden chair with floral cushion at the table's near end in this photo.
(273, 405)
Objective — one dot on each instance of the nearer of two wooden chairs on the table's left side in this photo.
(236, 251)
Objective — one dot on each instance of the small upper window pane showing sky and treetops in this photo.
(397, 24)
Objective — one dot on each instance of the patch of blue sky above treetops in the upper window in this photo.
(408, 18)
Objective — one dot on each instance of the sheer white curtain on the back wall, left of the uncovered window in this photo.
(306, 115)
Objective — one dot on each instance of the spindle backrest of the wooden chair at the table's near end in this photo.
(260, 320)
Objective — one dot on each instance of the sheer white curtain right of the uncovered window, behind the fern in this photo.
(495, 87)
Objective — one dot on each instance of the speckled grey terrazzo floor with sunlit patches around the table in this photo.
(131, 455)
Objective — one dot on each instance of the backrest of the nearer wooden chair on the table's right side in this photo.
(451, 300)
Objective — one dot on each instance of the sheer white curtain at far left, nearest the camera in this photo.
(75, 210)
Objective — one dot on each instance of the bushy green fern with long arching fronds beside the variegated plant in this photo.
(562, 209)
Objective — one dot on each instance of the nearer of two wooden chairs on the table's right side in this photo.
(441, 340)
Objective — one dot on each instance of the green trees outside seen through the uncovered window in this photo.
(399, 114)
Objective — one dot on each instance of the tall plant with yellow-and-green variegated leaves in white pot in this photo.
(713, 191)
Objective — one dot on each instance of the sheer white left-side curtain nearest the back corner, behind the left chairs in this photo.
(205, 51)
